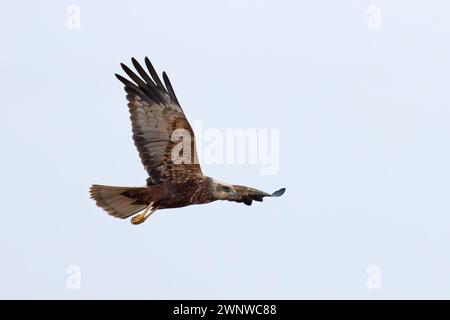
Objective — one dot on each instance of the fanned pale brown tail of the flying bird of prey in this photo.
(120, 202)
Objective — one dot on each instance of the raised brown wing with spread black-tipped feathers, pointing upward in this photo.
(161, 132)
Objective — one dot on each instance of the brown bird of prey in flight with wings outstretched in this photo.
(156, 116)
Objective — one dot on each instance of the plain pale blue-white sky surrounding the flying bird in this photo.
(364, 149)
